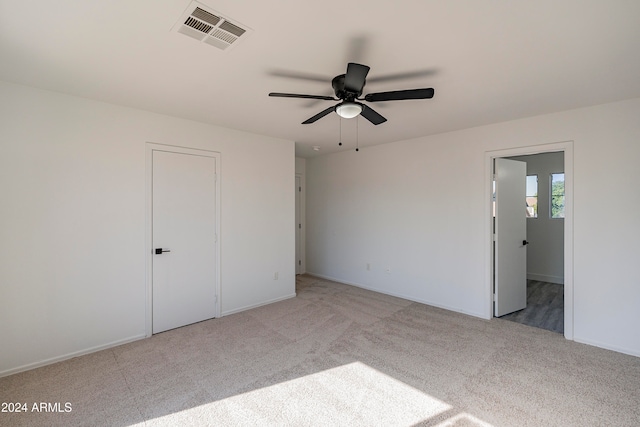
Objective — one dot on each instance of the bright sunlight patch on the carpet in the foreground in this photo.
(352, 394)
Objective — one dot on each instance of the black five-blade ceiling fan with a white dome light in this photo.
(348, 89)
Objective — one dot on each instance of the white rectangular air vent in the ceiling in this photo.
(210, 27)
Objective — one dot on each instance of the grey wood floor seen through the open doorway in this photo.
(545, 307)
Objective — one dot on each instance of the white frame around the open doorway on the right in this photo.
(567, 148)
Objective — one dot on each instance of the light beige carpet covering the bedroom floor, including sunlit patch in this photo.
(338, 355)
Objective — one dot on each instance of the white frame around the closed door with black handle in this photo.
(150, 147)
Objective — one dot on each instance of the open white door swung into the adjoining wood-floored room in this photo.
(510, 237)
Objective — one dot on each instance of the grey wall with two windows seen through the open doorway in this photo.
(545, 255)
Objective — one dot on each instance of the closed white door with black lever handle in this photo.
(184, 239)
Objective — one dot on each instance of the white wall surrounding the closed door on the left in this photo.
(72, 221)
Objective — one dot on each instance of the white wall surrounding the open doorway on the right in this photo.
(418, 207)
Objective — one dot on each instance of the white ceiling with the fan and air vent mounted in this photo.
(488, 60)
